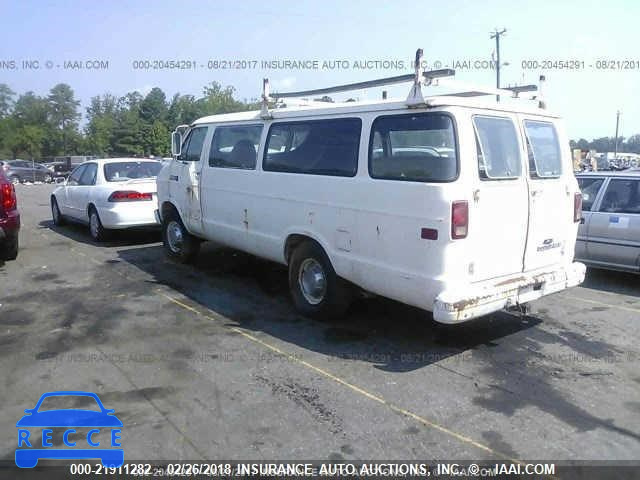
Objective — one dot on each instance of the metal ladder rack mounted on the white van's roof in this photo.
(415, 98)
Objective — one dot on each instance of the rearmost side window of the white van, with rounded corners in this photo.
(419, 148)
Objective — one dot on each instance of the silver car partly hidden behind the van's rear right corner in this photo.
(609, 233)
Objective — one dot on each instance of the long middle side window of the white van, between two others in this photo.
(318, 147)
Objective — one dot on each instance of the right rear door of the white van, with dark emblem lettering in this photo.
(551, 197)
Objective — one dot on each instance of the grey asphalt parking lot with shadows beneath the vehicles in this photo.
(211, 361)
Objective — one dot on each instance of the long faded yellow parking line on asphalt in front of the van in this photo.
(407, 413)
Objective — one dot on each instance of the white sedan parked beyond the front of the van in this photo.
(106, 194)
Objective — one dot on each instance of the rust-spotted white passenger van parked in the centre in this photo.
(455, 205)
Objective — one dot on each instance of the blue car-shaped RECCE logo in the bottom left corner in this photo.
(95, 422)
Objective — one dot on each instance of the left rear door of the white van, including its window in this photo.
(498, 216)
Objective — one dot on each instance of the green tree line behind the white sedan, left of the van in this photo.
(33, 126)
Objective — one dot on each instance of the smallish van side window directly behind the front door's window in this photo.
(235, 147)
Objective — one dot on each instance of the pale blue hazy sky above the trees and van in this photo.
(350, 41)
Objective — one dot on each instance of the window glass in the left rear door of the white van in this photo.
(497, 148)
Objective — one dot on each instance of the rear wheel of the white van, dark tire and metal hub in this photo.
(329, 297)
